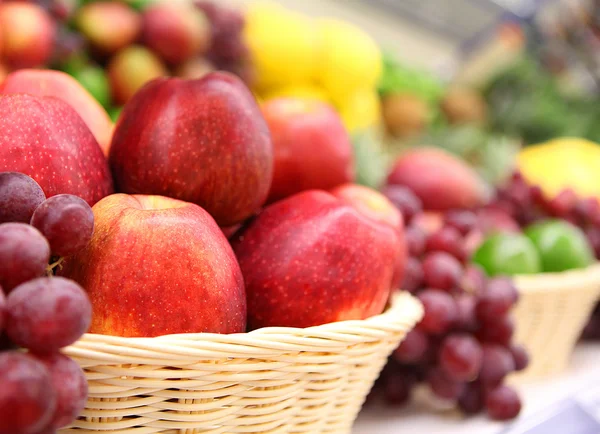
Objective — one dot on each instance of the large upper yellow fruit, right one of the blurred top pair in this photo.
(349, 59)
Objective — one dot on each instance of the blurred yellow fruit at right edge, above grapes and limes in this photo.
(563, 163)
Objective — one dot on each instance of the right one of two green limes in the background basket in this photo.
(561, 245)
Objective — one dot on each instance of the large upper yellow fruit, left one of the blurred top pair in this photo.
(283, 45)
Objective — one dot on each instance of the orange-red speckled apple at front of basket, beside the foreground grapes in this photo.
(184, 278)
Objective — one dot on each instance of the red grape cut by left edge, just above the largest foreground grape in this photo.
(24, 254)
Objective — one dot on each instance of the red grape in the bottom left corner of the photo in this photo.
(27, 398)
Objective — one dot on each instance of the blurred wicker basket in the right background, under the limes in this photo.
(550, 316)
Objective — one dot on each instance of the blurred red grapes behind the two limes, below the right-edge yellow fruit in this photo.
(525, 203)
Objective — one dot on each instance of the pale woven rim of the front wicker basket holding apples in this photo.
(403, 309)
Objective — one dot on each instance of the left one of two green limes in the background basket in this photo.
(508, 254)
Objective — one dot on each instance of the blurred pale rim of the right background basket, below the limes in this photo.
(559, 281)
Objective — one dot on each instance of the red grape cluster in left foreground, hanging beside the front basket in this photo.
(42, 389)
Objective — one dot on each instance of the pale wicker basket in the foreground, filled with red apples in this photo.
(272, 380)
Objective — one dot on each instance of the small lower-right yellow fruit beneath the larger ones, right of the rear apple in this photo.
(361, 110)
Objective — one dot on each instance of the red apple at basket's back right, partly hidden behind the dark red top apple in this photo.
(311, 146)
